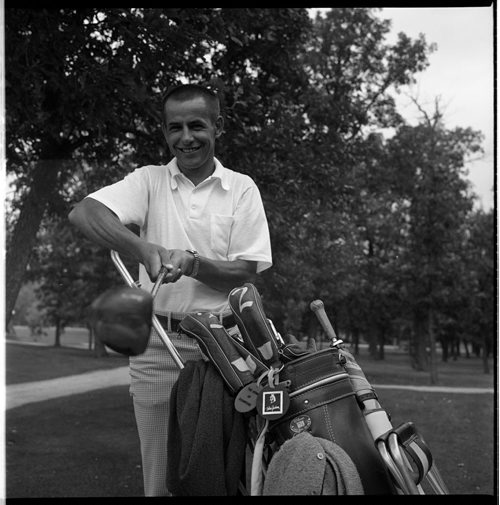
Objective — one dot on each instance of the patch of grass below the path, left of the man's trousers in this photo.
(79, 446)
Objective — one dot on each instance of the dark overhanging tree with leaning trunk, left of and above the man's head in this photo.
(70, 87)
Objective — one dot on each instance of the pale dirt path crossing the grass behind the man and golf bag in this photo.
(31, 392)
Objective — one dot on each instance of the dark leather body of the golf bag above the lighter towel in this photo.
(323, 403)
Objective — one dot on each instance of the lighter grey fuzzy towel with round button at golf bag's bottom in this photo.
(308, 465)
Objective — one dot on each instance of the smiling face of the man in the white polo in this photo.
(190, 132)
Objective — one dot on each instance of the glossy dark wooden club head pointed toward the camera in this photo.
(121, 318)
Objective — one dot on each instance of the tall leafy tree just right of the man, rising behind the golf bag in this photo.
(309, 150)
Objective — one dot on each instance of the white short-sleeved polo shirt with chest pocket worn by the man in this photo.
(222, 218)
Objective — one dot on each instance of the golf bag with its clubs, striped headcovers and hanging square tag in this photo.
(286, 390)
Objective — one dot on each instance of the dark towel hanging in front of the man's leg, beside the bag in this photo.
(206, 435)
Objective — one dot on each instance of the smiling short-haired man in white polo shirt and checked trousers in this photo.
(205, 222)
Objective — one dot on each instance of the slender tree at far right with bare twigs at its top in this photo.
(430, 162)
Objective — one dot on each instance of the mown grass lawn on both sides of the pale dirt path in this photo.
(87, 446)
